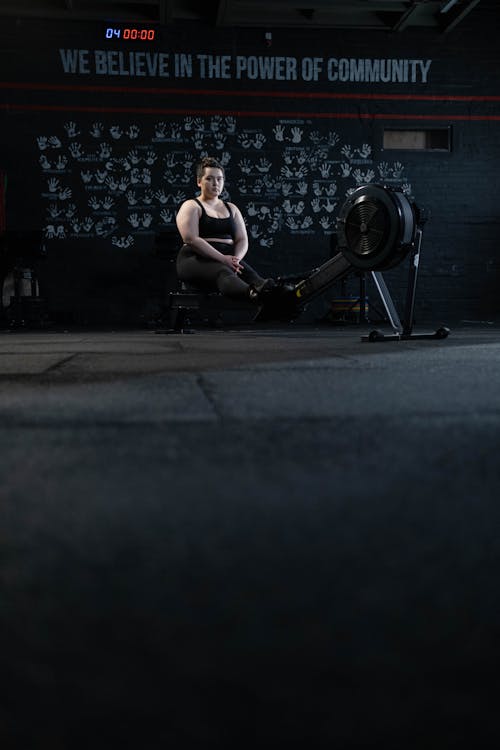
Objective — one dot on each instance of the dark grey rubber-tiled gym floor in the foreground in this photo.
(257, 537)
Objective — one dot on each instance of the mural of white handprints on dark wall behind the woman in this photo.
(288, 176)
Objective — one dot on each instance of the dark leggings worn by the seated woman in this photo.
(207, 273)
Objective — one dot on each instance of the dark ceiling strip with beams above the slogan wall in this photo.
(390, 15)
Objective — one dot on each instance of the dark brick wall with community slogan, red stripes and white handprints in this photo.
(100, 138)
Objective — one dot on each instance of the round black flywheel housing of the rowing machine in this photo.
(376, 227)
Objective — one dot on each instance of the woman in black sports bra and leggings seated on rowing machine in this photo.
(215, 240)
